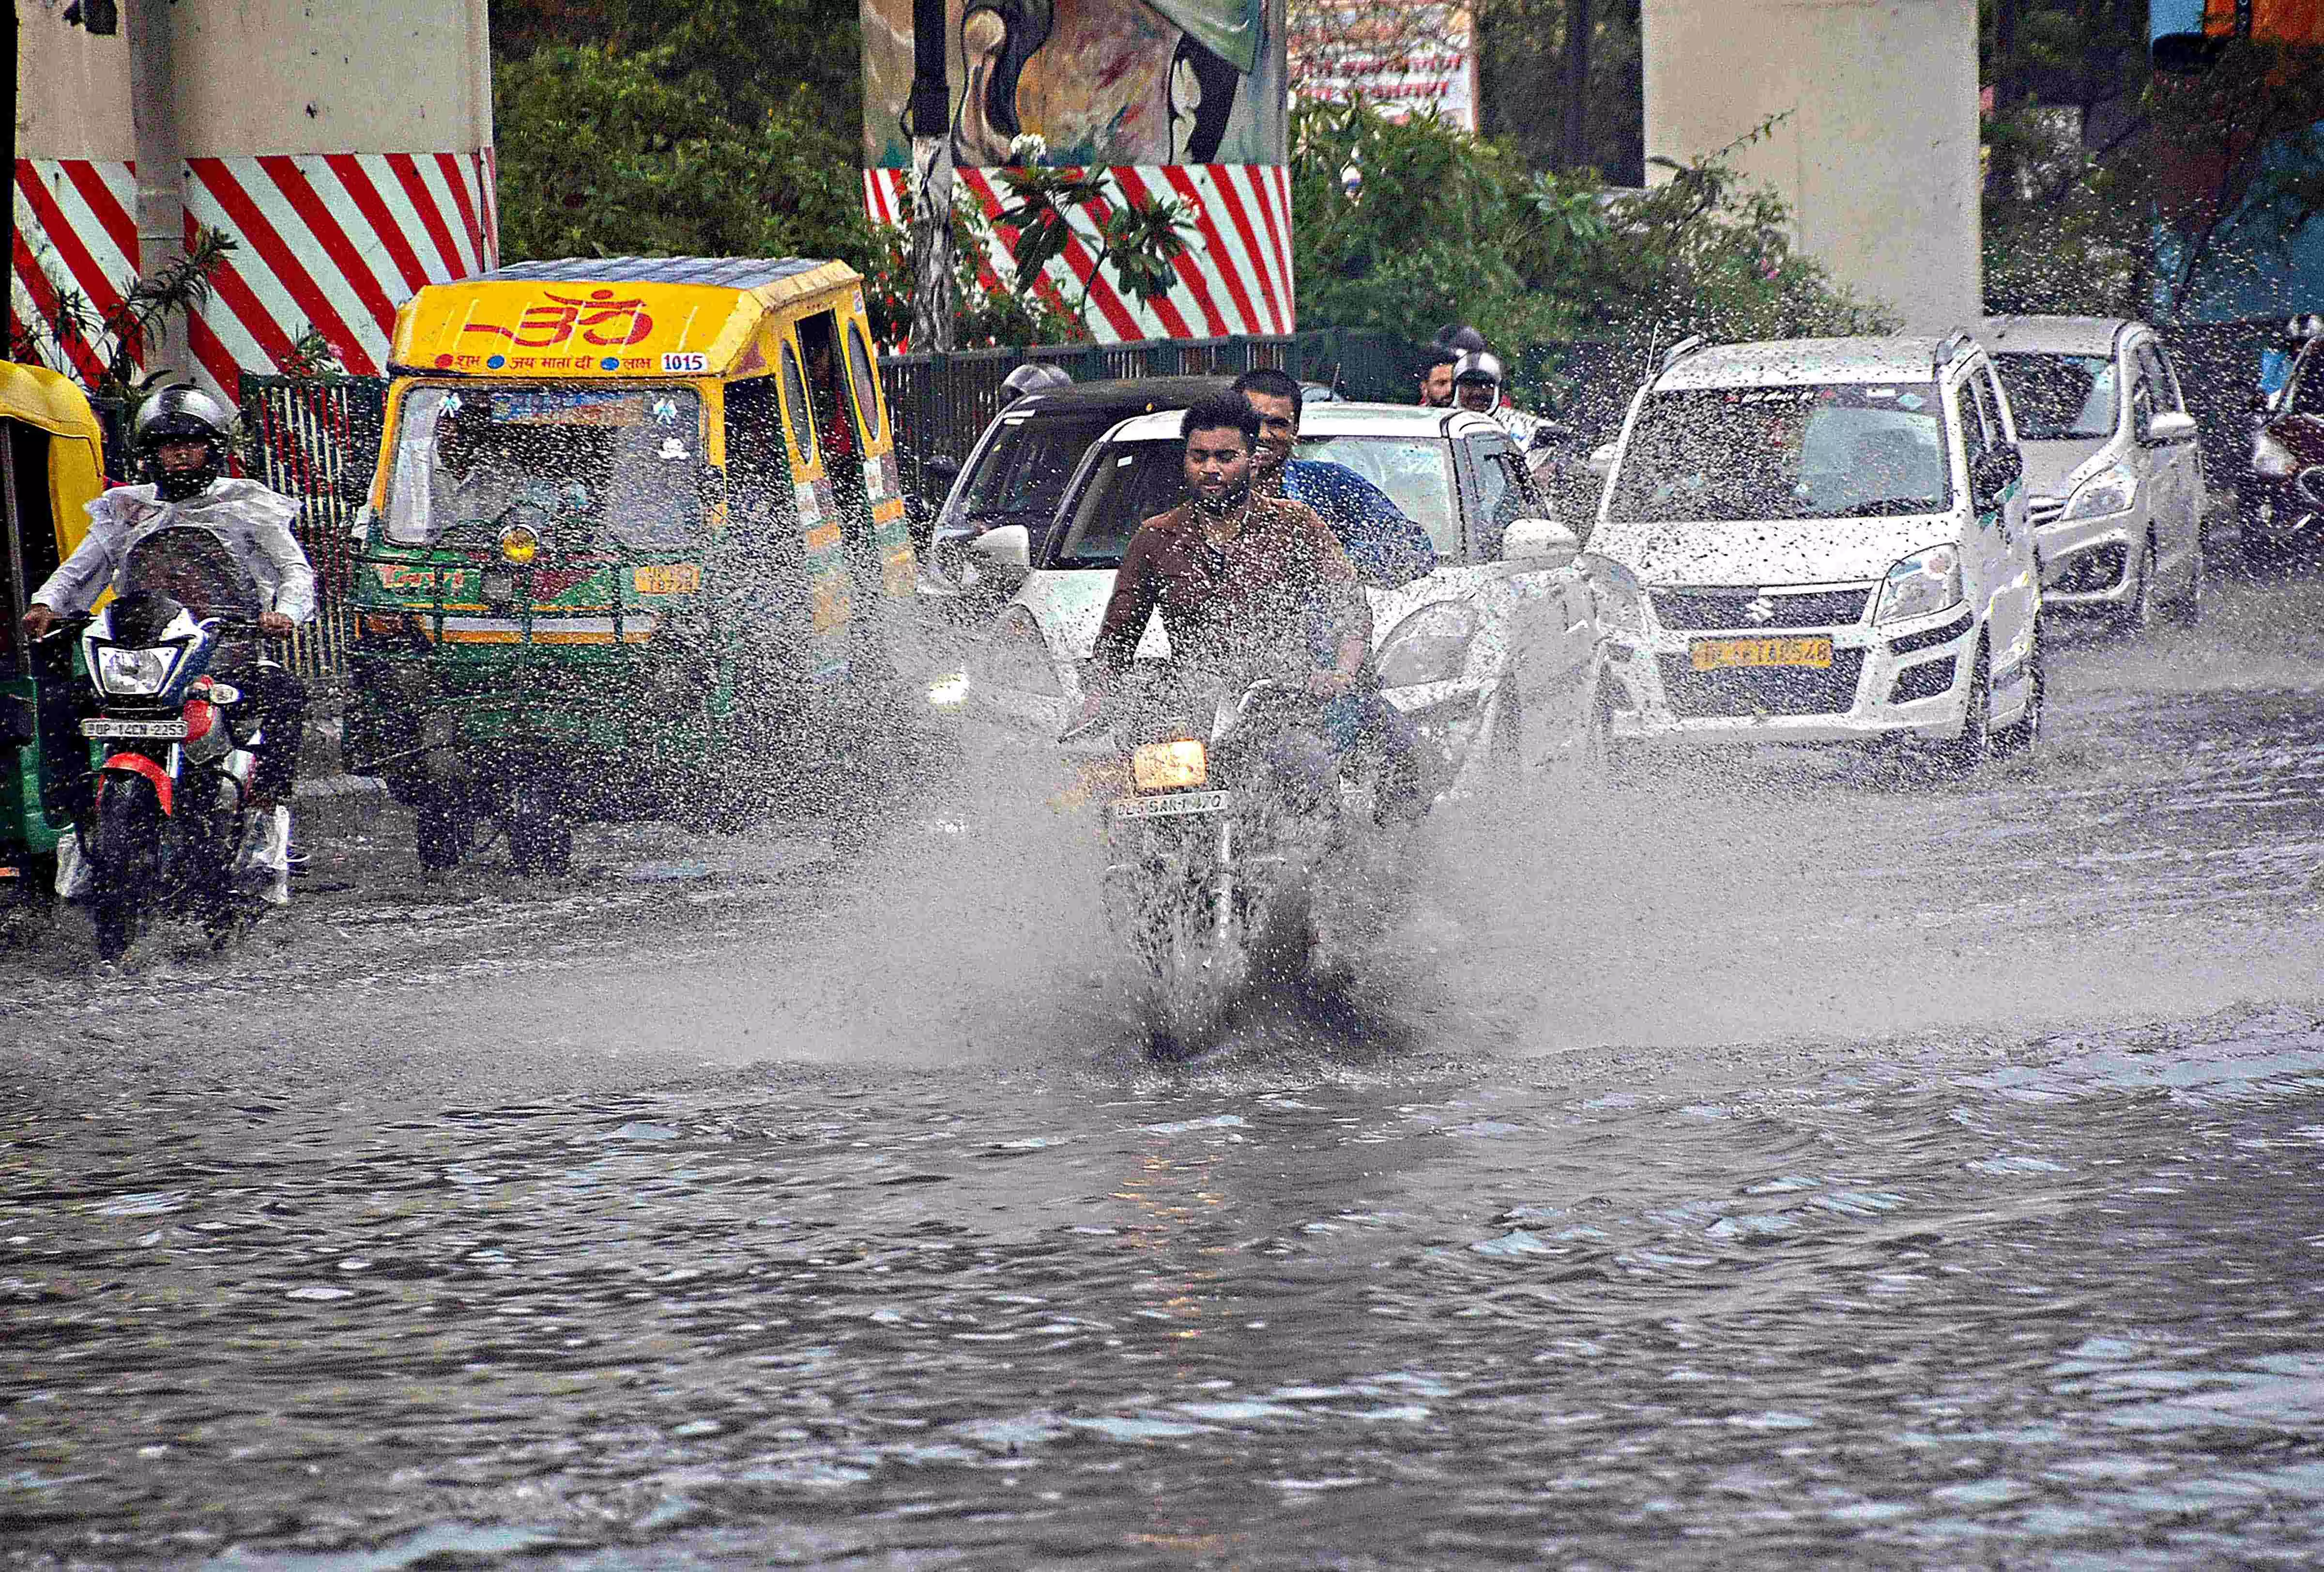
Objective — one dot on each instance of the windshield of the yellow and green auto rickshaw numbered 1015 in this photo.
(605, 466)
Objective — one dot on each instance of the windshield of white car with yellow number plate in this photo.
(1798, 452)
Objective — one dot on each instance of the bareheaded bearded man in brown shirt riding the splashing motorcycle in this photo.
(1251, 585)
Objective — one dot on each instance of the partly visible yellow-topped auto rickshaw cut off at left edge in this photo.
(52, 466)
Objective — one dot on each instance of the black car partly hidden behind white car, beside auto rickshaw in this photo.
(1021, 464)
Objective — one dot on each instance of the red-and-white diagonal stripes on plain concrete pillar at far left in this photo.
(324, 241)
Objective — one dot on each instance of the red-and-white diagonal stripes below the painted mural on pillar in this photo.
(1233, 278)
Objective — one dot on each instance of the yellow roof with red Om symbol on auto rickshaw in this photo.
(610, 317)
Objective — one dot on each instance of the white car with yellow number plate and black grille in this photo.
(1835, 545)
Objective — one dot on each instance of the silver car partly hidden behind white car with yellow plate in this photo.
(2111, 466)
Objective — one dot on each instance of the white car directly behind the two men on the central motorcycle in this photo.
(1498, 652)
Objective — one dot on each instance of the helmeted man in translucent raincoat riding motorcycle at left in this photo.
(180, 441)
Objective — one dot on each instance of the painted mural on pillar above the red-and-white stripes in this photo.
(1103, 83)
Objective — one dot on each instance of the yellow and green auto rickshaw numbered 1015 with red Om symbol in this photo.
(626, 552)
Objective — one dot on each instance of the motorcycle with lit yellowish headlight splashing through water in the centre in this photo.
(1217, 862)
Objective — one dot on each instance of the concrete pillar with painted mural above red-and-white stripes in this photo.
(1177, 99)
